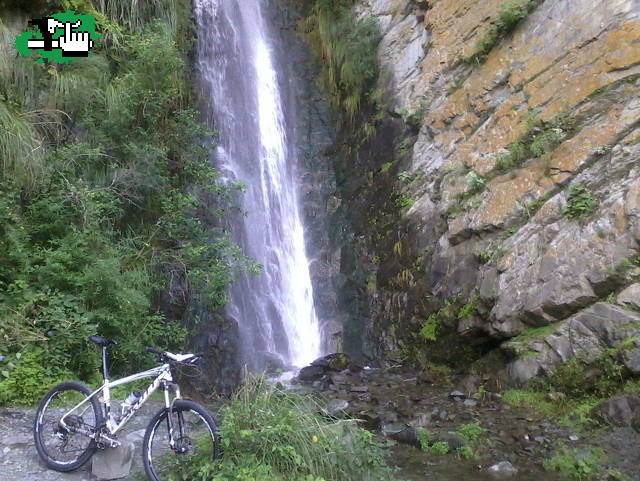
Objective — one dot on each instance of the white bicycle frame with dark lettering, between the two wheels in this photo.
(163, 378)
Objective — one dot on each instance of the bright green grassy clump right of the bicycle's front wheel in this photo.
(270, 435)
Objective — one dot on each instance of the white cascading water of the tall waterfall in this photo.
(241, 100)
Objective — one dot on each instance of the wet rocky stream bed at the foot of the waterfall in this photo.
(398, 402)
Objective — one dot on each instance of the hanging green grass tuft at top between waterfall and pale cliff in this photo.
(346, 50)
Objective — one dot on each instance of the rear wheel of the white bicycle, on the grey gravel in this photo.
(51, 442)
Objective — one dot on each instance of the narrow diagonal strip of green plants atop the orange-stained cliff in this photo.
(509, 16)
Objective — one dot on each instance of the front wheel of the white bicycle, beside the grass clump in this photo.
(196, 441)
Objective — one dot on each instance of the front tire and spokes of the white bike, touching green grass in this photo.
(157, 456)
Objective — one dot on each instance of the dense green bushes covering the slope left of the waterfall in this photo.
(104, 168)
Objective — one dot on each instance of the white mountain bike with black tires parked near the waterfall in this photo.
(73, 421)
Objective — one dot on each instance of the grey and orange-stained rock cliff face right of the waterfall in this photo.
(515, 166)
